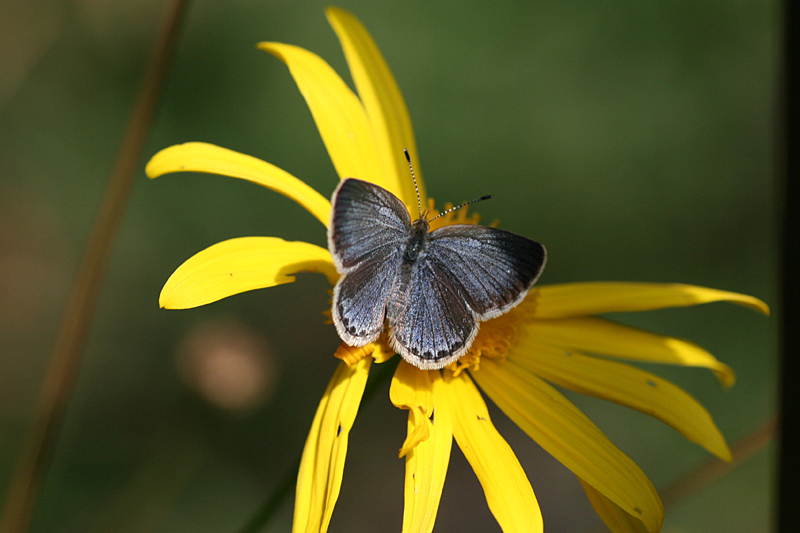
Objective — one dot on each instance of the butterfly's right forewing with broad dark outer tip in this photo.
(491, 268)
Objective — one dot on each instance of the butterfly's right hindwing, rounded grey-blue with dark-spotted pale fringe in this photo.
(431, 324)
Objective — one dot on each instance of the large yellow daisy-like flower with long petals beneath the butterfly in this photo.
(552, 338)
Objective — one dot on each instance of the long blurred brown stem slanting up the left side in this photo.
(64, 361)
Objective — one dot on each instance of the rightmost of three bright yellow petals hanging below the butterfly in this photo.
(508, 491)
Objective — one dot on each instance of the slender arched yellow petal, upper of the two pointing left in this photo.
(202, 157)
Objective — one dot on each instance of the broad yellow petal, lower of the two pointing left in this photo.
(240, 265)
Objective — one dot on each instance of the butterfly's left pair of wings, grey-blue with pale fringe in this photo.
(365, 237)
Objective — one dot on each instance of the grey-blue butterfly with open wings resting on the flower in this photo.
(433, 288)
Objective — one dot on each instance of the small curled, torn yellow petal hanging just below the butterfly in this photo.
(411, 389)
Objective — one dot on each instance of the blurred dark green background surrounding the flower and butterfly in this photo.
(635, 139)
